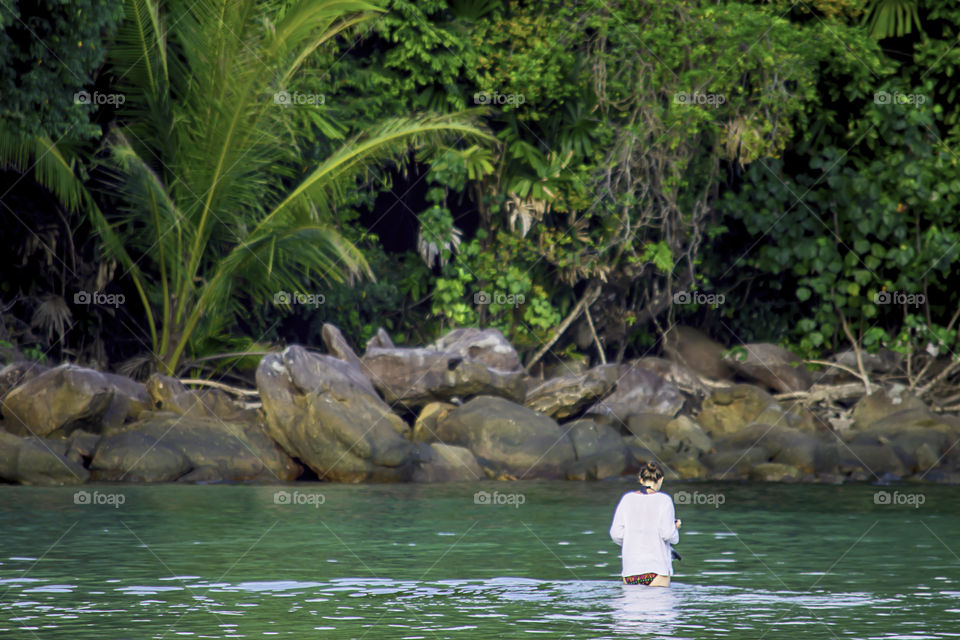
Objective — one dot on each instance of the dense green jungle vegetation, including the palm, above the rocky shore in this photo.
(246, 171)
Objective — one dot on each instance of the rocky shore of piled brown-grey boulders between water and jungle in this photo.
(464, 409)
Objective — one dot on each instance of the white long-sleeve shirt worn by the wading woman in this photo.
(644, 525)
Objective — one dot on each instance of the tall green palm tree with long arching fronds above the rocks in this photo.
(207, 166)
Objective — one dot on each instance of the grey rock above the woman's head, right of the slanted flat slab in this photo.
(638, 392)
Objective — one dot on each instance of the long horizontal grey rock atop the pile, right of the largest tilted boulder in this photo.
(416, 377)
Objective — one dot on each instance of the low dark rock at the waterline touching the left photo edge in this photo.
(31, 461)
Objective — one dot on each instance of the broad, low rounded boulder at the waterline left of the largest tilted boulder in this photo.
(165, 447)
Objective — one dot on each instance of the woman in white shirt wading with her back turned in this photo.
(644, 526)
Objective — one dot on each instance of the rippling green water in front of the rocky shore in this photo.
(418, 561)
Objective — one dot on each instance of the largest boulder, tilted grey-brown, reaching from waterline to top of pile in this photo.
(320, 412)
